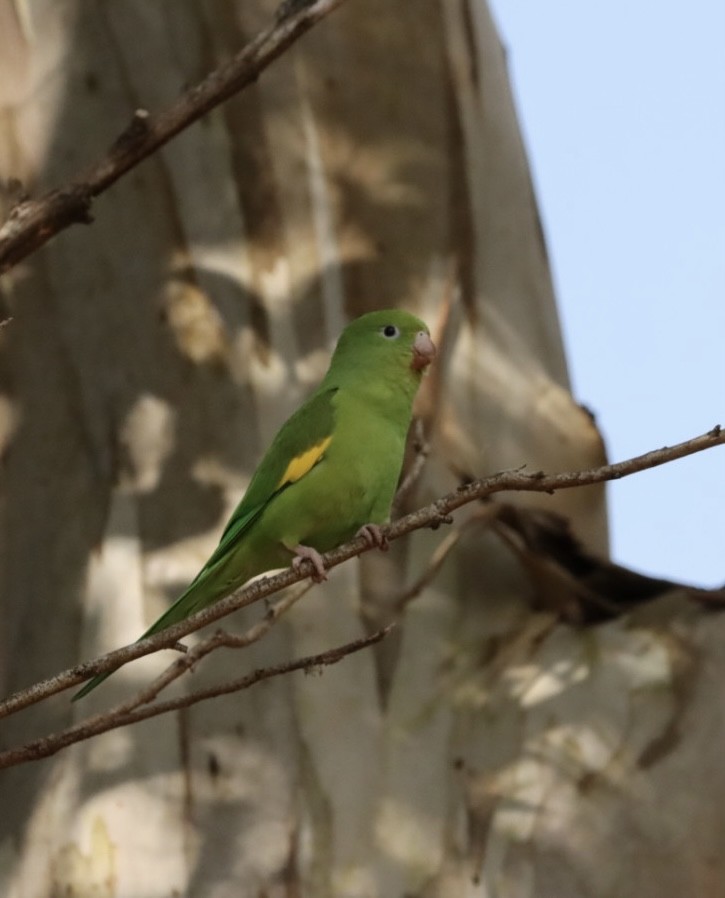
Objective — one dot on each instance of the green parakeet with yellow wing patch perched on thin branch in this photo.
(331, 471)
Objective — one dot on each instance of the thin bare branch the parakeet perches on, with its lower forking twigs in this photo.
(431, 516)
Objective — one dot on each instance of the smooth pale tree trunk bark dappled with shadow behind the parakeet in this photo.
(483, 749)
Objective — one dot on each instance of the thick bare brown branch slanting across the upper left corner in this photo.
(32, 222)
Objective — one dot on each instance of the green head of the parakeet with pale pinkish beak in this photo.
(390, 341)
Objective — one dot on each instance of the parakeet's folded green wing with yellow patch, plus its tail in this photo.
(297, 448)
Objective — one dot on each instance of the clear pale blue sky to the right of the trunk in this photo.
(622, 106)
